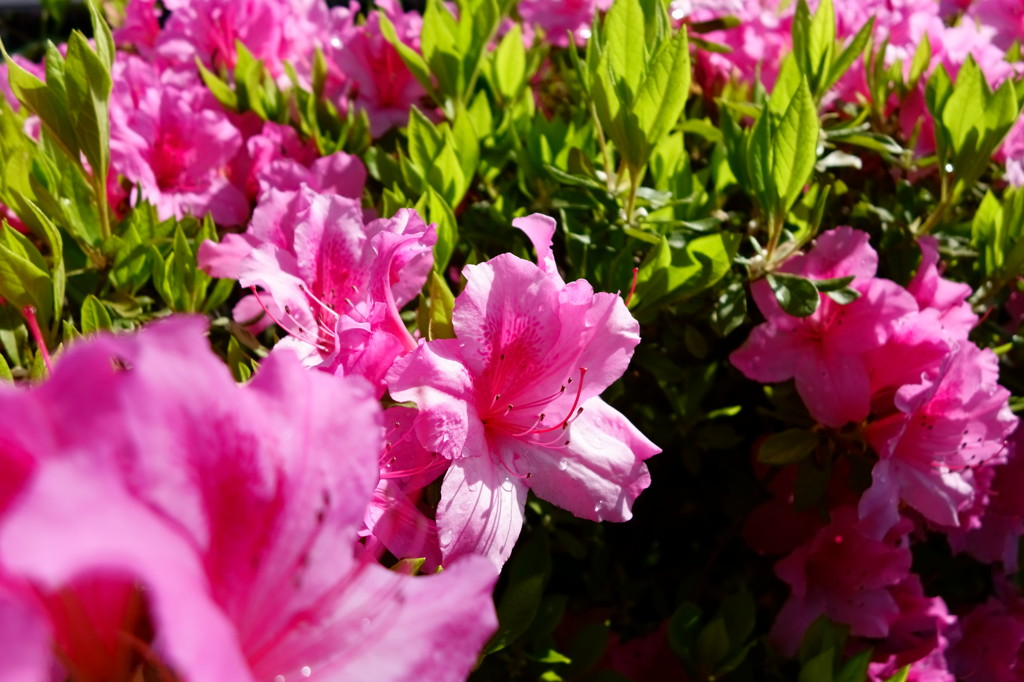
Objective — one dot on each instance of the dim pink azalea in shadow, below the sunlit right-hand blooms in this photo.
(845, 575)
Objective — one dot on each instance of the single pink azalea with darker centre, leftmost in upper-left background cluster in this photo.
(176, 143)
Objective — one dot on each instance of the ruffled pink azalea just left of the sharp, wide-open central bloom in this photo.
(333, 283)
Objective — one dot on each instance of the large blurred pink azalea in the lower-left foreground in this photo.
(210, 531)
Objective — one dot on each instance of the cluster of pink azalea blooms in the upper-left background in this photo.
(178, 149)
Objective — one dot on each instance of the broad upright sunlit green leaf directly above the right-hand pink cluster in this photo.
(795, 148)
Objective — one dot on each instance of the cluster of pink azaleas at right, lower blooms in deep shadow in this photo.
(893, 377)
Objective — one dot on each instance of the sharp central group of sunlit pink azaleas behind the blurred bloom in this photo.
(510, 405)
